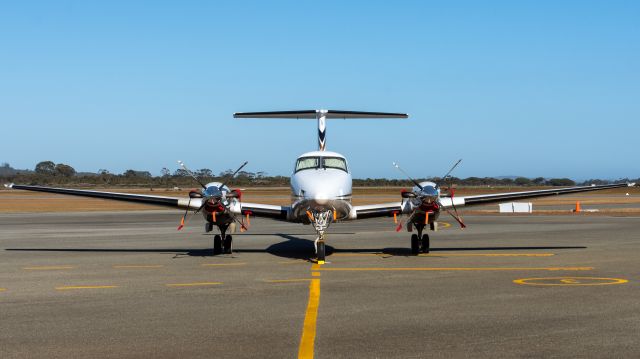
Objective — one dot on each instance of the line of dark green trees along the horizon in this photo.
(49, 173)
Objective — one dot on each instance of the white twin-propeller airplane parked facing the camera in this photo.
(321, 186)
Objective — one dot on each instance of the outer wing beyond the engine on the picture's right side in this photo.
(511, 196)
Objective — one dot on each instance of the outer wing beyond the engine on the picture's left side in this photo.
(163, 201)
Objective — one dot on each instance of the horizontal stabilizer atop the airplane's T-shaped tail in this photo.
(313, 114)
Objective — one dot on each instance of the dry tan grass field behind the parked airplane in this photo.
(26, 201)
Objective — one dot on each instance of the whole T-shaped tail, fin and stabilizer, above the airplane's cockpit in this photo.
(321, 116)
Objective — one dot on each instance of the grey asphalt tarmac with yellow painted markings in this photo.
(127, 284)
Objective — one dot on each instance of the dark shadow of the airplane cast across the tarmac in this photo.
(293, 247)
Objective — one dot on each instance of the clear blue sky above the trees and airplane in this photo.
(531, 88)
